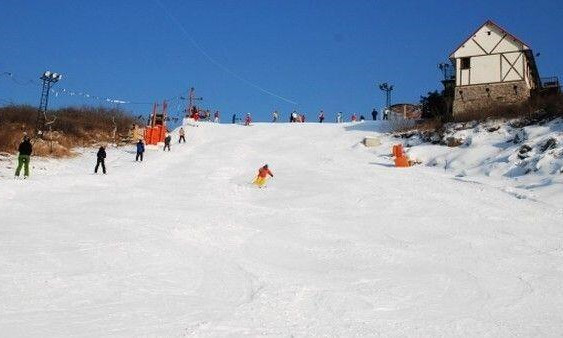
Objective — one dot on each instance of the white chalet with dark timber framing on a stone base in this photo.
(493, 66)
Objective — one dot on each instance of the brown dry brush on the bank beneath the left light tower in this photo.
(73, 127)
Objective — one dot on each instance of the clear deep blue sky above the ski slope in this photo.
(320, 54)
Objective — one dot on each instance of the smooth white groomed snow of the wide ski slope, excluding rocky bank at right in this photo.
(340, 243)
